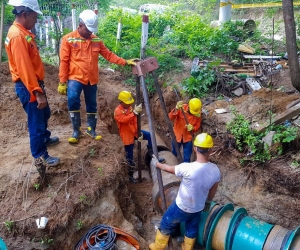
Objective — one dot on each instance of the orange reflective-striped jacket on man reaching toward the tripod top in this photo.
(79, 58)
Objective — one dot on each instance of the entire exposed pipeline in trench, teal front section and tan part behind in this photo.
(223, 227)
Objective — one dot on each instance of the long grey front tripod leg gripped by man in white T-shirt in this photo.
(154, 145)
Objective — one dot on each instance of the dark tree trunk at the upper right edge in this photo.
(291, 46)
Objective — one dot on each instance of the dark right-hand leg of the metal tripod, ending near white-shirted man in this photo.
(163, 105)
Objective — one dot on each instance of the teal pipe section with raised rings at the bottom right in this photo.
(242, 231)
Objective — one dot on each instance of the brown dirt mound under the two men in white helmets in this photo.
(86, 189)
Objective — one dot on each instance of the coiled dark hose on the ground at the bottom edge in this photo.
(103, 237)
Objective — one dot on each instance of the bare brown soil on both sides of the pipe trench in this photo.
(91, 187)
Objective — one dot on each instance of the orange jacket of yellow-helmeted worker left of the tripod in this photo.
(127, 124)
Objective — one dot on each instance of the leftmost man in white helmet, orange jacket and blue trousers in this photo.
(28, 74)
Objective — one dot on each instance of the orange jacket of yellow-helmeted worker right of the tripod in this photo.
(180, 130)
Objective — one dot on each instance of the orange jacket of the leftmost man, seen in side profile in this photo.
(25, 63)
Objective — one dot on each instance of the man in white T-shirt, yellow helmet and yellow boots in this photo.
(199, 183)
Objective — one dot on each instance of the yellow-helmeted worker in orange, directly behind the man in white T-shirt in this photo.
(183, 129)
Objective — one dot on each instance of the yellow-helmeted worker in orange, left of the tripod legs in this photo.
(126, 118)
